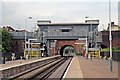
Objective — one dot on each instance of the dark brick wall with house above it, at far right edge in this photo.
(115, 30)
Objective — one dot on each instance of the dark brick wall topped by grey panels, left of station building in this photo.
(18, 40)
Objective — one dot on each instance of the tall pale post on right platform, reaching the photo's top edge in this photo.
(110, 36)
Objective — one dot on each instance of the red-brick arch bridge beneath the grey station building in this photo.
(62, 44)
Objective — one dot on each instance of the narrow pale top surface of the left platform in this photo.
(16, 63)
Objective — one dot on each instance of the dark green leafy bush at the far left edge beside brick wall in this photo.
(6, 41)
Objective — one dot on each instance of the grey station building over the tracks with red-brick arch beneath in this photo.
(60, 35)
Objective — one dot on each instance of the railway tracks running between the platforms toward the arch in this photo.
(43, 71)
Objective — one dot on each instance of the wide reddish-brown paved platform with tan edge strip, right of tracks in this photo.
(97, 68)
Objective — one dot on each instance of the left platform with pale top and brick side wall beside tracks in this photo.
(18, 66)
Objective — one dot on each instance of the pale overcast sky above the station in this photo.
(16, 12)
